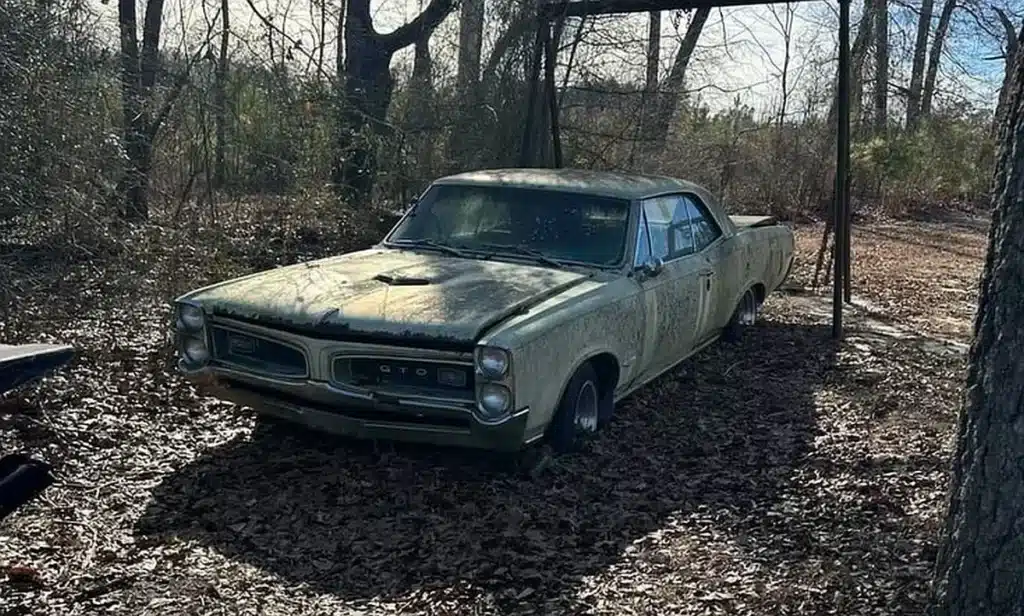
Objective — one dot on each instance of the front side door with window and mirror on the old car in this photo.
(671, 297)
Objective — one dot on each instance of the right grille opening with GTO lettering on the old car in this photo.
(442, 379)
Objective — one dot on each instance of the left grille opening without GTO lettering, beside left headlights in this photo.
(259, 354)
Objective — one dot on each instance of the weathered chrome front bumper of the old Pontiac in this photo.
(322, 407)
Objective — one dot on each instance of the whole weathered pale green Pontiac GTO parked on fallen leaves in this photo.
(505, 309)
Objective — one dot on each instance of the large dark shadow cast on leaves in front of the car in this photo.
(723, 431)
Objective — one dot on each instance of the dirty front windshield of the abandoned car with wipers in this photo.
(559, 226)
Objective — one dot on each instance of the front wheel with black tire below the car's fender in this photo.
(567, 434)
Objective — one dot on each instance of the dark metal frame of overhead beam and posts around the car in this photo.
(551, 10)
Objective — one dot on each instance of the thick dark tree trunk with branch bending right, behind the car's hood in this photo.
(367, 91)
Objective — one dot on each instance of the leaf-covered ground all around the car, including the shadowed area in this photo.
(783, 475)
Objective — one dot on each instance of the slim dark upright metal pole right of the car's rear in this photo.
(841, 211)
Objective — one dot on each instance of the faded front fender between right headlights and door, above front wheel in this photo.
(556, 338)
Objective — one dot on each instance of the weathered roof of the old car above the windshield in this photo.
(604, 184)
